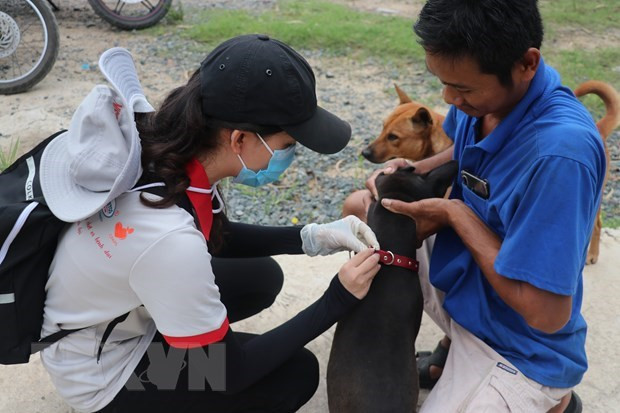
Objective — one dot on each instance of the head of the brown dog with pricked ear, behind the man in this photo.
(411, 131)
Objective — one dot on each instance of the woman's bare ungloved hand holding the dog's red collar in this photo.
(357, 274)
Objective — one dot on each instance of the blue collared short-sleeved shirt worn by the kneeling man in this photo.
(545, 166)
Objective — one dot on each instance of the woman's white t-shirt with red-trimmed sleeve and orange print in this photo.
(126, 256)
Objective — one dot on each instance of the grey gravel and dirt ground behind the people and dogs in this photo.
(314, 187)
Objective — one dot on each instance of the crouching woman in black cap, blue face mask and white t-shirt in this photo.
(140, 256)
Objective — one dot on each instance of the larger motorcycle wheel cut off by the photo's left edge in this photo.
(28, 44)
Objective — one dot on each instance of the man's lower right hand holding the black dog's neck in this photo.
(430, 215)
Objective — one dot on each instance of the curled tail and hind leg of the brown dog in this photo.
(605, 126)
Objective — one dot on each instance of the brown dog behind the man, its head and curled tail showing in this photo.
(413, 131)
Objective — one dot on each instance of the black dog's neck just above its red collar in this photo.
(395, 232)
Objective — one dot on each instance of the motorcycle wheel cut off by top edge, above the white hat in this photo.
(131, 14)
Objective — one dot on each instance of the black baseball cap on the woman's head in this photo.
(256, 79)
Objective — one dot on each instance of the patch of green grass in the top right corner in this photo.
(595, 15)
